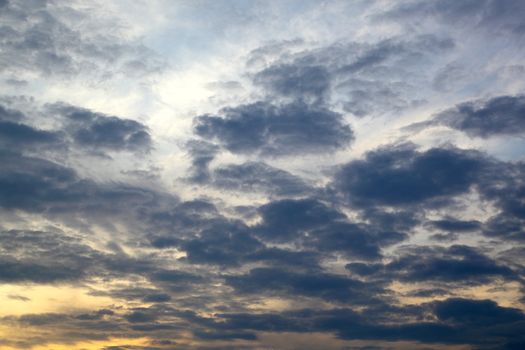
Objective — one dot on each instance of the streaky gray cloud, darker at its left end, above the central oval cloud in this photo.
(364, 79)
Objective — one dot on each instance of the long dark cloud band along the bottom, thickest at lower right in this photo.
(482, 323)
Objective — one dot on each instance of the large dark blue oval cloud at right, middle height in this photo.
(400, 175)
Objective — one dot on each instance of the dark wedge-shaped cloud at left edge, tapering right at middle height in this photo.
(37, 185)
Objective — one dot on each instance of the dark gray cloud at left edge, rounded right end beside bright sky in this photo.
(79, 128)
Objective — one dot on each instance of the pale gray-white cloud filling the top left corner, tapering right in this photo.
(48, 39)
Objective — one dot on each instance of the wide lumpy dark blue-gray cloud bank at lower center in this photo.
(319, 230)
